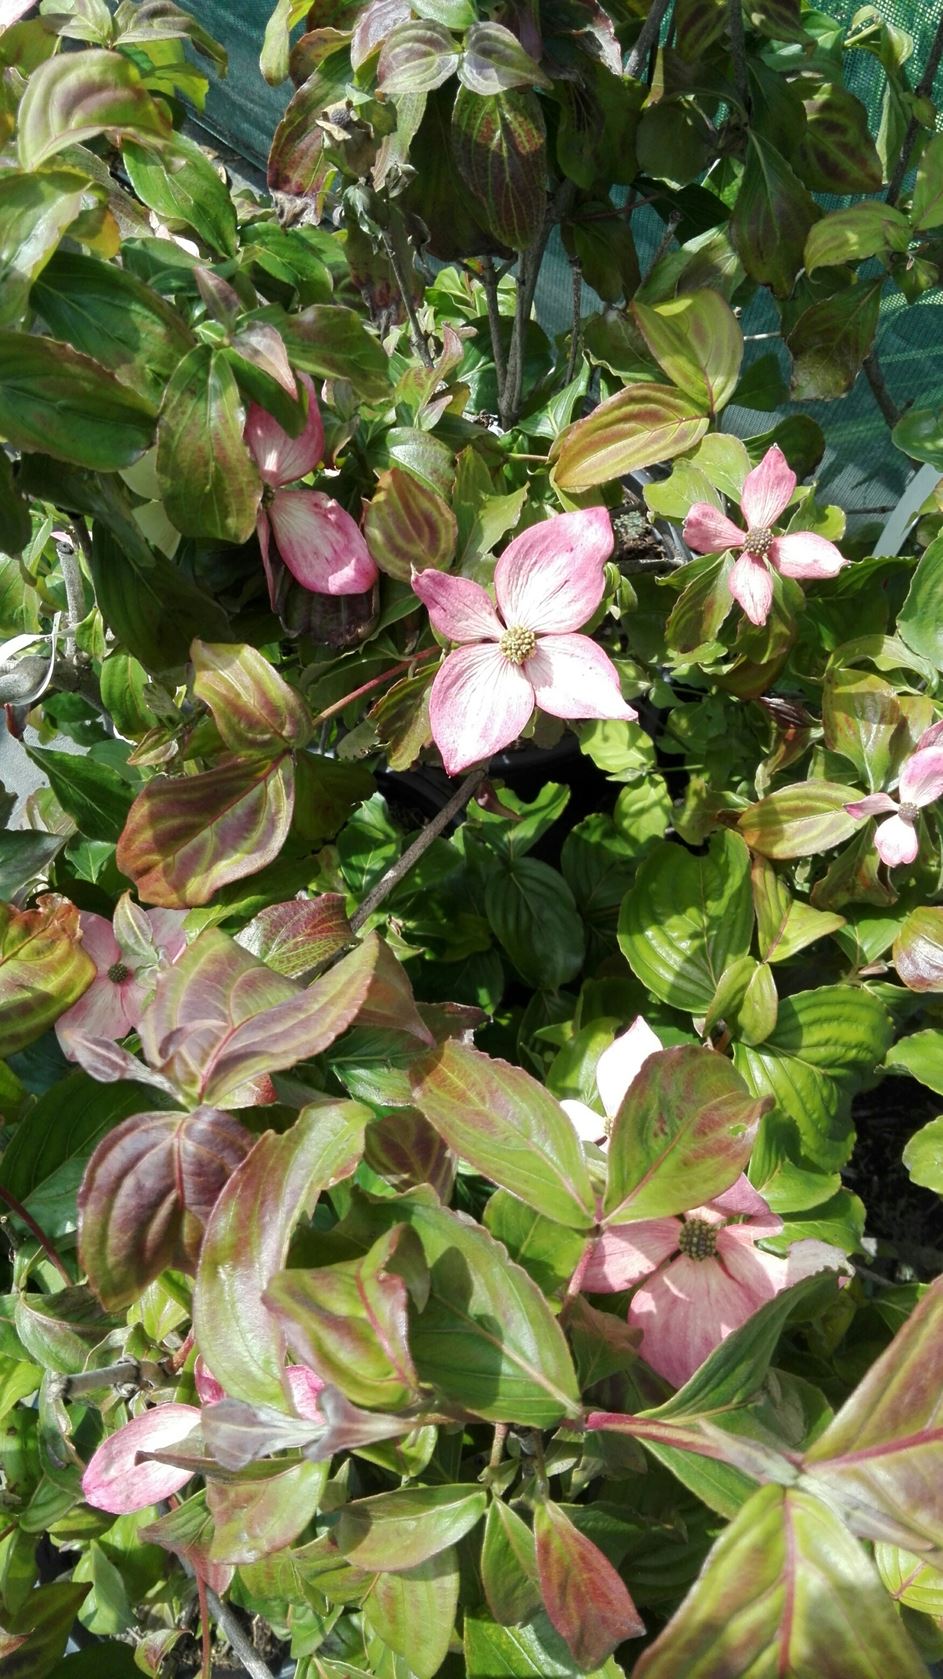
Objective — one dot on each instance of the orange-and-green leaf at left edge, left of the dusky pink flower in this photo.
(43, 968)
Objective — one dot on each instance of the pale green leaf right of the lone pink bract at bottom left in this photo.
(261, 1517)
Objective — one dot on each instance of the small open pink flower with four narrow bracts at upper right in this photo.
(768, 491)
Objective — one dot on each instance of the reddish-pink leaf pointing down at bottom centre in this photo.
(585, 1598)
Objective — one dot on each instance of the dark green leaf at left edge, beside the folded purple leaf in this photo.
(46, 1158)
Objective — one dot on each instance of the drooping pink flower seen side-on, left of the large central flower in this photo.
(320, 543)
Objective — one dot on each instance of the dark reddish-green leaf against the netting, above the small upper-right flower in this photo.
(831, 340)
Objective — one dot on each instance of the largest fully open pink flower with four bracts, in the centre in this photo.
(548, 583)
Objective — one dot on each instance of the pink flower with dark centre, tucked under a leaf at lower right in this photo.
(706, 1275)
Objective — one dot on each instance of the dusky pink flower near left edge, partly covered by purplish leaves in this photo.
(128, 956)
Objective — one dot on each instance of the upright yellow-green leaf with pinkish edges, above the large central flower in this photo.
(697, 342)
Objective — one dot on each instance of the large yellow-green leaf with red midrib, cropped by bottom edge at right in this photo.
(786, 1591)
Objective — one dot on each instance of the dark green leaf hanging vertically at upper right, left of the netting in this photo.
(771, 219)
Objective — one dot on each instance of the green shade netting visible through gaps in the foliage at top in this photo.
(862, 469)
